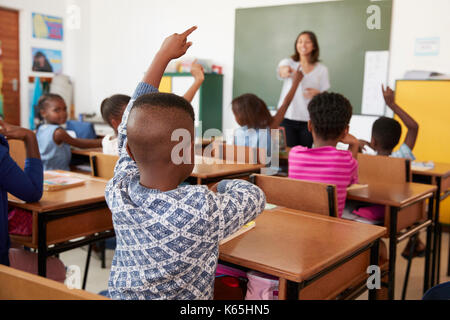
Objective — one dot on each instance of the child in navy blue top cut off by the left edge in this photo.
(27, 185)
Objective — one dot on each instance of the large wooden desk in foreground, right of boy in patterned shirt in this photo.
(304, 249)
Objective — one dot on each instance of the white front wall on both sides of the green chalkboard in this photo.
(138, 34)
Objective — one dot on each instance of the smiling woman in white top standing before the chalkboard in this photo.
(315, 81)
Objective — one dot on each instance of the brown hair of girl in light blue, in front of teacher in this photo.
(251, 111)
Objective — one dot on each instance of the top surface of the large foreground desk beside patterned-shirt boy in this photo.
(296, 245)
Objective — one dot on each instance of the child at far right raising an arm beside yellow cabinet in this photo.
(386, 133)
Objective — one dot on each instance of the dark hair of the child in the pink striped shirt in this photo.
(330, 114)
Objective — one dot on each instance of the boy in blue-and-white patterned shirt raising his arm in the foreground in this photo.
(168, 236)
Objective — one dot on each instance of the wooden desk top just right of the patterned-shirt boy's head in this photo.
(210, 168)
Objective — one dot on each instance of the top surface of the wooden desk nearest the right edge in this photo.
(396, 195)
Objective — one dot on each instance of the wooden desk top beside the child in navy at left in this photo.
(92, 191)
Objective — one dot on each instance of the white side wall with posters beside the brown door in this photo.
(75, 53)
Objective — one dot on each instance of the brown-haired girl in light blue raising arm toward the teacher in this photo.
(255, 120)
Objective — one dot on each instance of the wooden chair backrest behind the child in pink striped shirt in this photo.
(298, 194)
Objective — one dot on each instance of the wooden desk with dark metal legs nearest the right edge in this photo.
(405, 207)
